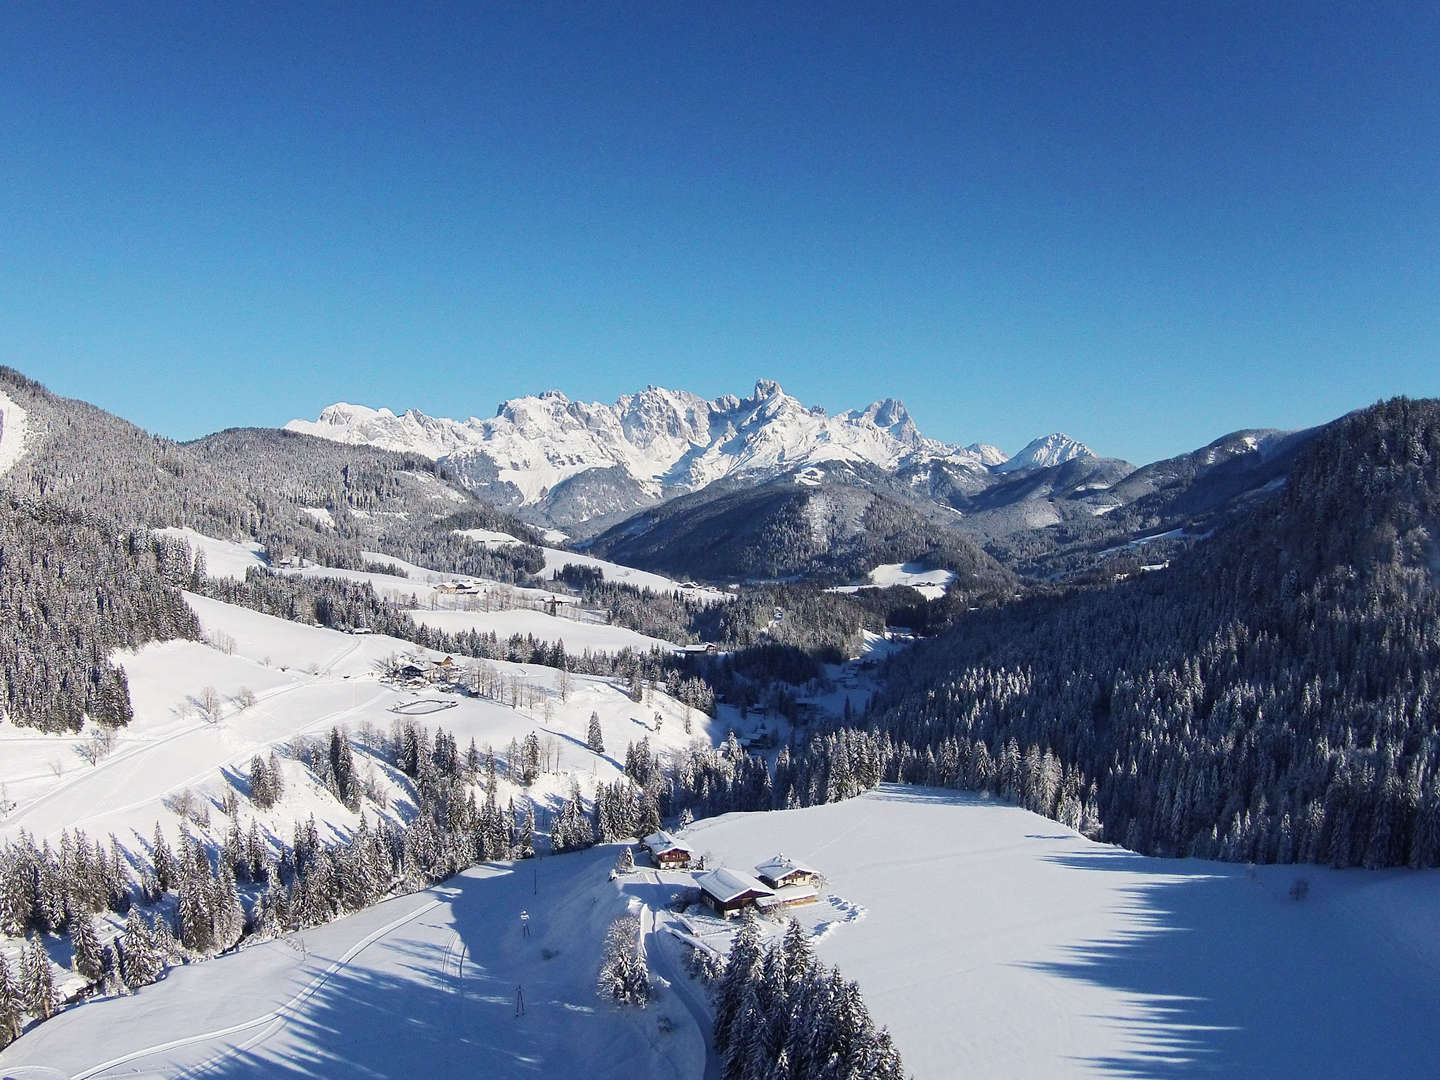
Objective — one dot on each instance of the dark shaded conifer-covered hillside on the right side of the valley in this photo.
(1269, 698)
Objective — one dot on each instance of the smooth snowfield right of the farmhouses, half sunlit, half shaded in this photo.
(994, 942)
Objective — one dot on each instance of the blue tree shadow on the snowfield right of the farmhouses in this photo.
(1238, 980)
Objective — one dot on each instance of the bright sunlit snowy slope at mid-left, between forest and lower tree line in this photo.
(306, 680)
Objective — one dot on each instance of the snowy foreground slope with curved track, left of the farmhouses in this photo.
(421, 986)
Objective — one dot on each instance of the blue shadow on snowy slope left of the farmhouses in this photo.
(438, 997)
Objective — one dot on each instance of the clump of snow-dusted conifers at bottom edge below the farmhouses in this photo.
(783, 1016)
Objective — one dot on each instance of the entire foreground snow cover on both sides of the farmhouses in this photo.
(991, 942)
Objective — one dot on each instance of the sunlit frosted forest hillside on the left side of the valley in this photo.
(81, 574)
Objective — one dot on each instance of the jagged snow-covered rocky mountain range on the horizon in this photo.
(577, 462)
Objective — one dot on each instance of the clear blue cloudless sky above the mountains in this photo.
(1144, 224)
